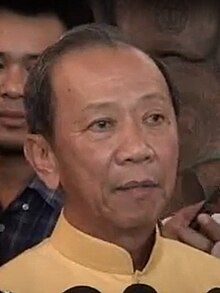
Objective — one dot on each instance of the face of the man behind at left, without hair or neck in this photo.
(22, 39)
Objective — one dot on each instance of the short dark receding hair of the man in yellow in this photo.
(39, 96)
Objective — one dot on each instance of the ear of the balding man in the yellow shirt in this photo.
(39, 154)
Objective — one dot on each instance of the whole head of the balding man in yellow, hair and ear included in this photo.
(103, 124)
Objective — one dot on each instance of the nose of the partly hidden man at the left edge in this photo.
(12, 82)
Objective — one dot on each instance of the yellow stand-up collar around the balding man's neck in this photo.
(98, 254)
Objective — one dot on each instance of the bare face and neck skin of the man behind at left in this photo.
(22, 39)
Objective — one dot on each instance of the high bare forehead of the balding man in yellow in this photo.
(118, 74)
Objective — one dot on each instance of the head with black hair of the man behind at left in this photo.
(26, 29)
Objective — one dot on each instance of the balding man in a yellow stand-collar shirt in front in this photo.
(102, 118)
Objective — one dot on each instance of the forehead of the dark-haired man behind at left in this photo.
(29, 34)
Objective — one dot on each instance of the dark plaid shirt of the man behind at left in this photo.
(29, 219)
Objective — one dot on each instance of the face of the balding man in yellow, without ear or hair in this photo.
(116, 137)
